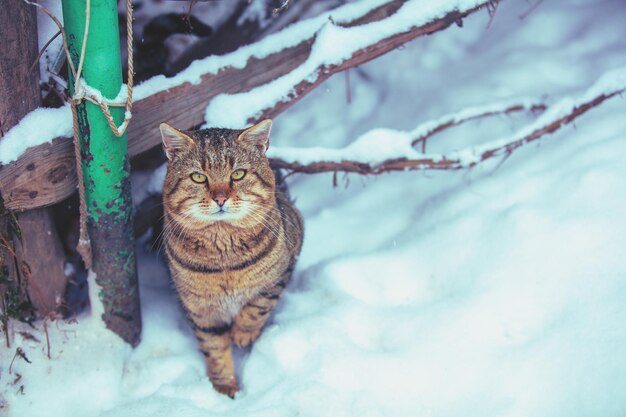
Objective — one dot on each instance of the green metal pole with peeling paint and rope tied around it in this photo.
(106, 167)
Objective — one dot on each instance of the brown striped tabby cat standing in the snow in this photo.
(231, 237)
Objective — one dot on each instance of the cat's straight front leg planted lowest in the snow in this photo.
(214, 339)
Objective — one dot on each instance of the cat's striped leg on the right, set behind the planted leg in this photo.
(249, 321)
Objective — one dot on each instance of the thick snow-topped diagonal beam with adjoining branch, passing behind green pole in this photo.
(267, 77)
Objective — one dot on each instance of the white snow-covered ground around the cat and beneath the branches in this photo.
(492, 292)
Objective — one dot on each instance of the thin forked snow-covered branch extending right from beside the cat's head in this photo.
(384, 150)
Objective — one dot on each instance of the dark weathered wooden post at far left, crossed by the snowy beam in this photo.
(19, 94)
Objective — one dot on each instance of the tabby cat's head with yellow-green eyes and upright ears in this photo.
(218, 175)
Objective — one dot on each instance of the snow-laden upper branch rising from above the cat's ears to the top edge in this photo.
(337, 45)
